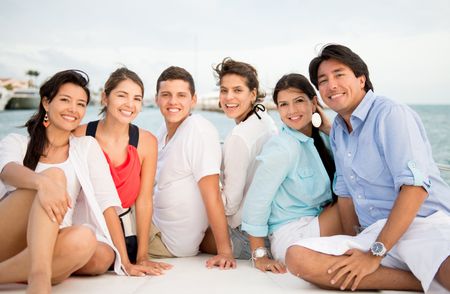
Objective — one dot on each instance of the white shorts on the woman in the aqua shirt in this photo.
(292, 232)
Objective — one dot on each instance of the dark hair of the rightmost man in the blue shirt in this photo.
(344, 55)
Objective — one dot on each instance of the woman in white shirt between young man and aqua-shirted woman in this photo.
(239, 97)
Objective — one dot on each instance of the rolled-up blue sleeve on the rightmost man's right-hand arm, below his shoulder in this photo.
(405, 146)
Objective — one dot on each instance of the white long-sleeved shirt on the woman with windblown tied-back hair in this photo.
(241, 147)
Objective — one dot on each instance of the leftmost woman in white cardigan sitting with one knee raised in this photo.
(56, 193)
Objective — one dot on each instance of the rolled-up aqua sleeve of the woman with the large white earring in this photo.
(273, 165)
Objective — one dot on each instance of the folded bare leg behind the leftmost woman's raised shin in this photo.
(73, 248)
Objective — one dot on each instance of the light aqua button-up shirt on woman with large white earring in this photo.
(290, 182)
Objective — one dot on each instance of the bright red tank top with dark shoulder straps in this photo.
(127, 177)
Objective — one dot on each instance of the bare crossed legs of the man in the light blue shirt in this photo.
(313, 266)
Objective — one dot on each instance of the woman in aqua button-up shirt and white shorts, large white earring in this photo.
(290, 195)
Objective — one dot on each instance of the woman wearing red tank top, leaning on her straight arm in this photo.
(131, 153)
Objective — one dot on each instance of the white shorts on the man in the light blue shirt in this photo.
(421, 250)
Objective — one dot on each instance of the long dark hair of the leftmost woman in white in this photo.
(48, 91)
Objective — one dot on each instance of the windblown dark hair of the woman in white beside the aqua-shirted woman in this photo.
(245, 70)
